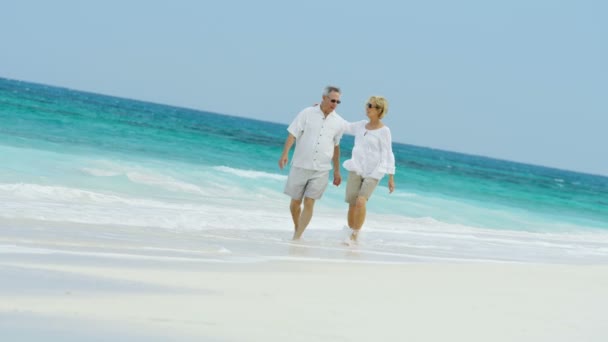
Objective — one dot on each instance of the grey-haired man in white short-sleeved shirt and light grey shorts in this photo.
(317, 132)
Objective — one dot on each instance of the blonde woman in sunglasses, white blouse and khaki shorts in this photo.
(372, 158)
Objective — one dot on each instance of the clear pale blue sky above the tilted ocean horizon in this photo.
(519, 80)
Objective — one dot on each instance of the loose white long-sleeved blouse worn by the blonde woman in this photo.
(372, 155)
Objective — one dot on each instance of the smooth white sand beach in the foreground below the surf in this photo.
(68, 288)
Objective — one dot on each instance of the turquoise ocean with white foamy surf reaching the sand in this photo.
(78, 161)
